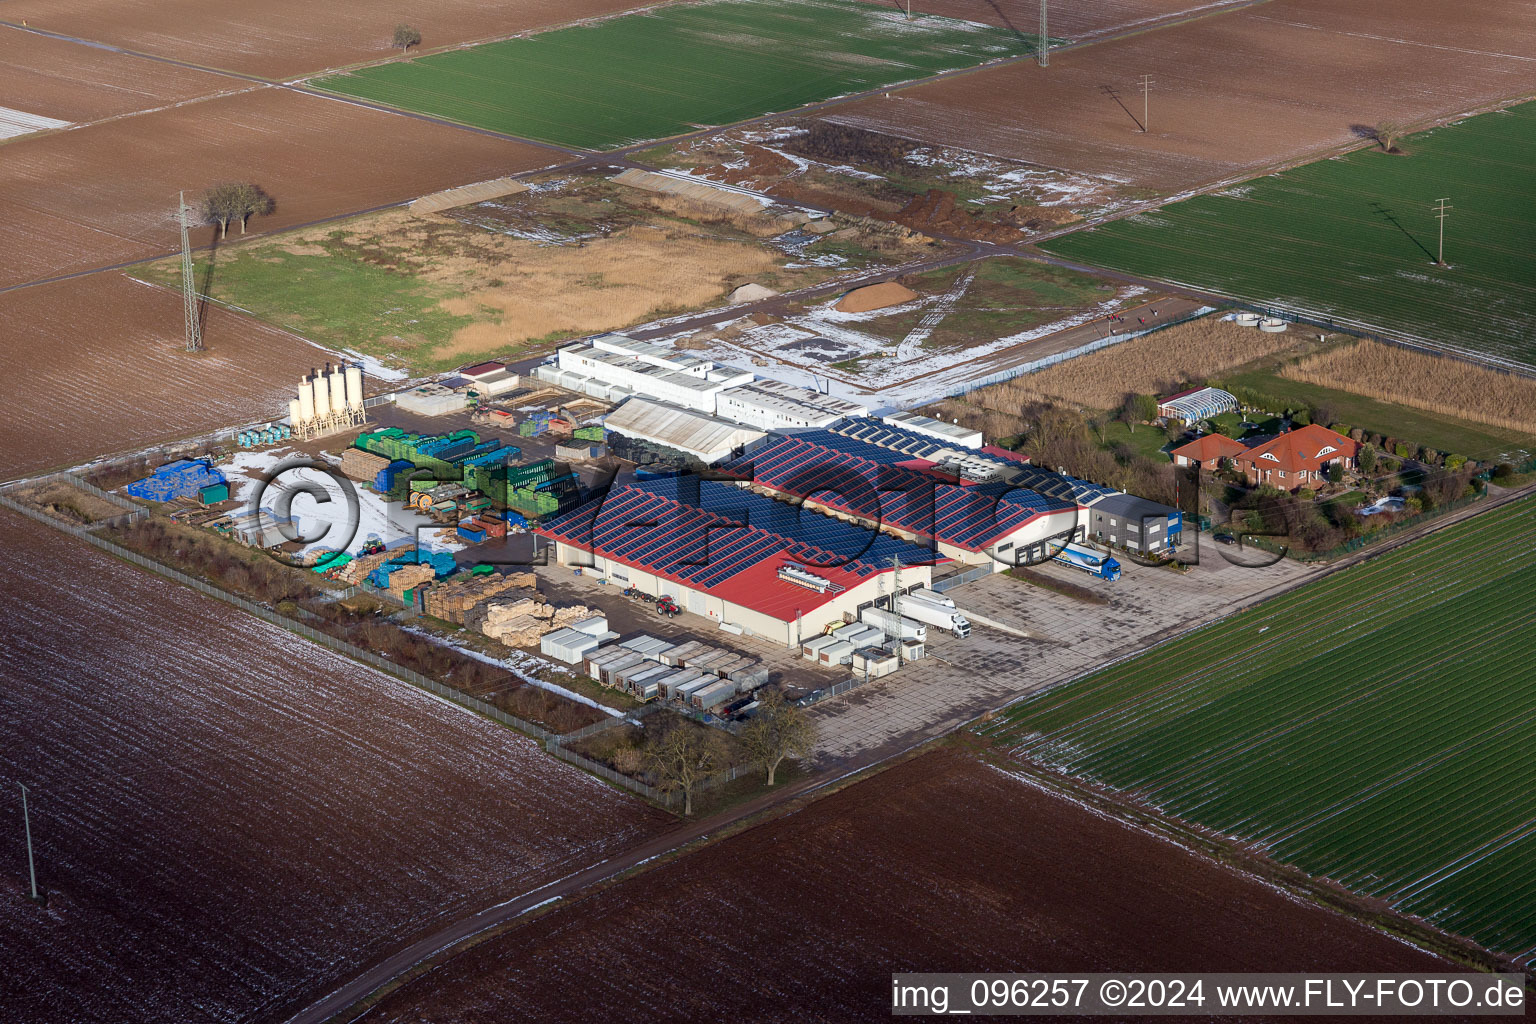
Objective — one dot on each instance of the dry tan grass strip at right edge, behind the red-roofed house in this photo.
(1423, 382)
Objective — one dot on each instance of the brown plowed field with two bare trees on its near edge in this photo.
(108, 193)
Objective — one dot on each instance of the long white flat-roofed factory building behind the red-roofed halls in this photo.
(614, 368)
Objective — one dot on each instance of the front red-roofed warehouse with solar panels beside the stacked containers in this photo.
(767, 567)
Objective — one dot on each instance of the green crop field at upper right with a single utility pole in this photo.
(1356, 239)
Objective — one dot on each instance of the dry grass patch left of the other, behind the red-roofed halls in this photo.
(1156, 363)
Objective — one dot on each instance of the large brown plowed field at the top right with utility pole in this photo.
(1233, 94)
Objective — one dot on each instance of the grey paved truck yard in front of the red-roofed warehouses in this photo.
(1065, 638)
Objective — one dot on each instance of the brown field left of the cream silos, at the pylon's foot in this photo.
(110, 372)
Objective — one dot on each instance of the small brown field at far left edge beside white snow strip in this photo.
(79, 84)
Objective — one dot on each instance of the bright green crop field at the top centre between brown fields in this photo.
(677, 68)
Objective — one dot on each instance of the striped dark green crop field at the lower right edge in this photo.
(1377, 728)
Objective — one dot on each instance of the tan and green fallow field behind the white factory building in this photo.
(575, 256)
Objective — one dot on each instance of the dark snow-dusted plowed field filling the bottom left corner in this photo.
(228, 818)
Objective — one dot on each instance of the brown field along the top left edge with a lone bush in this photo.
(280, 39)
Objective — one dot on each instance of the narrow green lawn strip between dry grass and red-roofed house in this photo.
(1474, 441)
